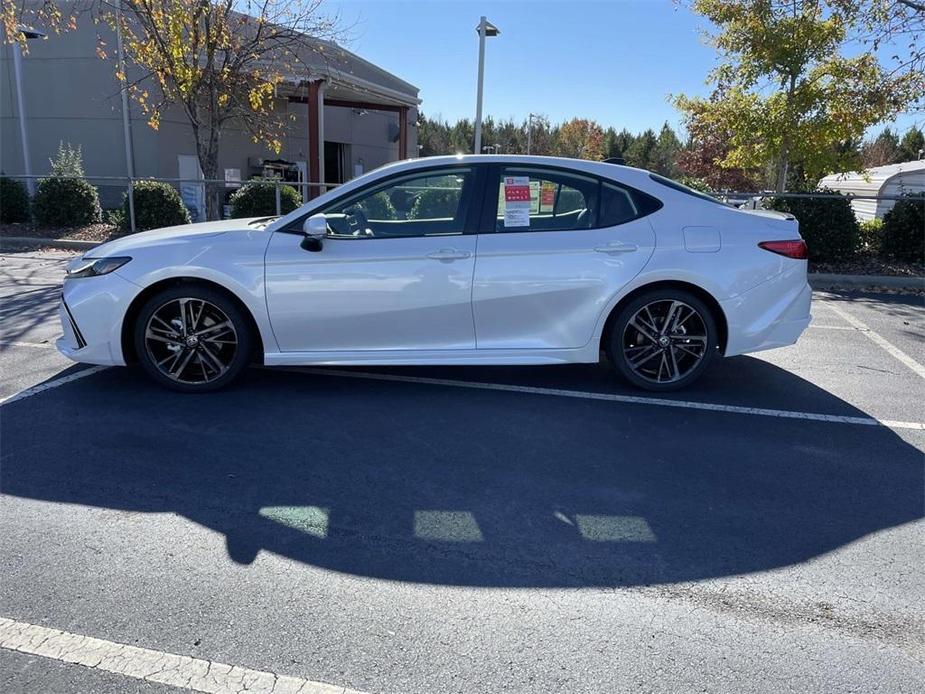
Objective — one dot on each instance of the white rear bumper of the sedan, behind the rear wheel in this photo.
(773, 314)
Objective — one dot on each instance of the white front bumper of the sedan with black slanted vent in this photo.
(91, 313)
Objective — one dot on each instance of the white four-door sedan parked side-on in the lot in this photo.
(450, 260)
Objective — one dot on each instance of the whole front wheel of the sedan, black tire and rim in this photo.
(201, 358)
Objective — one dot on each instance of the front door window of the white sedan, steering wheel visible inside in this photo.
(434, 203)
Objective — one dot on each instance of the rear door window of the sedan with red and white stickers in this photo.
(545, 200)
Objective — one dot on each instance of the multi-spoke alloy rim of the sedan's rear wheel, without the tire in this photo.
(664, 341)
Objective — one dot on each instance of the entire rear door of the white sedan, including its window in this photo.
(542, 280)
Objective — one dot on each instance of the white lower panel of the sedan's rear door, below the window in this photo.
(546, 289)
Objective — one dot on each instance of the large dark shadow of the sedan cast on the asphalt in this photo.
(442, 485)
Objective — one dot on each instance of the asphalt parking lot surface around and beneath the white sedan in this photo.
(466, 529)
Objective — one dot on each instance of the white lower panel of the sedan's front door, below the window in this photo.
(371, 293)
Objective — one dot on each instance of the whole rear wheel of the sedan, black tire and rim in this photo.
(642, 355)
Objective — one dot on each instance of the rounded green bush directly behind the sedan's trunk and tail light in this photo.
(827, 224)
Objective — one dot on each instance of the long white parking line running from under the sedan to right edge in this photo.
(614, 397)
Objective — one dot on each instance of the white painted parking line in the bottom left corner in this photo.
(185, 672)
